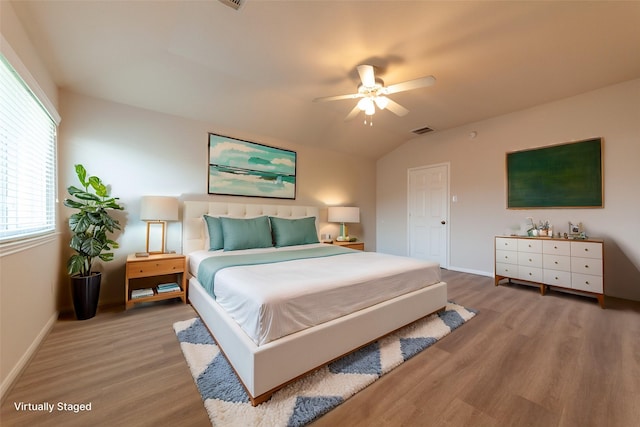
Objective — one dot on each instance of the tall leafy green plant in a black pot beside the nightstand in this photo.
(89, 226)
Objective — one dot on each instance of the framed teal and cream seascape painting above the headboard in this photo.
(243, 168)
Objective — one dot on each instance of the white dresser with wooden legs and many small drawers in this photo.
(575, 265)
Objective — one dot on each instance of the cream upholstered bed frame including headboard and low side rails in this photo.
(267, 368)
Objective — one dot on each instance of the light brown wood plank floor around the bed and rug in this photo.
(525, 360)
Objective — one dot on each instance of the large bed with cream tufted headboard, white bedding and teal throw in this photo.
(306, 330)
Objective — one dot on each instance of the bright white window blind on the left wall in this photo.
(27, 160)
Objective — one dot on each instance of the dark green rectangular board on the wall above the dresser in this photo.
(558, 176)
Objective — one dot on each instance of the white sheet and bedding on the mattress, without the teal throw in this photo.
(270, 301)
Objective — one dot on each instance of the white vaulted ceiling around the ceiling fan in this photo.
(254, 72)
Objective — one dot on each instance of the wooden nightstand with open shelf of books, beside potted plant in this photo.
(151, 271)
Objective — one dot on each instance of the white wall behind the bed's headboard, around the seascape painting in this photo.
(139, 152)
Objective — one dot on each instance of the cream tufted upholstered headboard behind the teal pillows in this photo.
(193, 233)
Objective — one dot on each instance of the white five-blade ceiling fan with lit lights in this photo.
(372, 92)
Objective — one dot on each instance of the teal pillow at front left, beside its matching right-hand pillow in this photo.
(246, 233)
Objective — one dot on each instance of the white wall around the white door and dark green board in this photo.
(478, 181)
